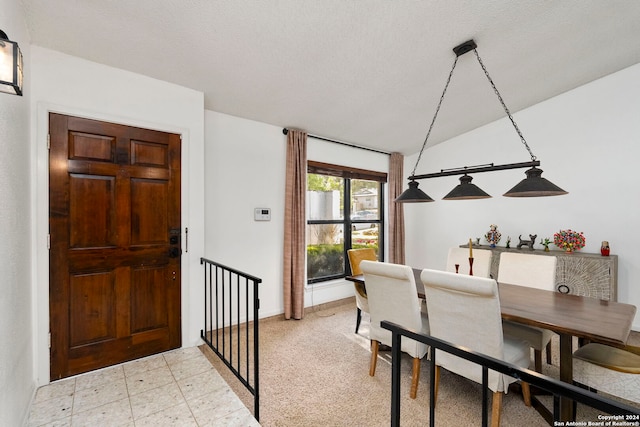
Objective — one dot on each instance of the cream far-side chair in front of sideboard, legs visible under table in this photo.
(534, 271)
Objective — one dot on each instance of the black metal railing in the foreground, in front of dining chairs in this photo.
(555, 387)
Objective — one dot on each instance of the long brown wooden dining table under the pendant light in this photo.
(590, 319)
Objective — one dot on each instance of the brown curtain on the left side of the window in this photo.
(295, 224)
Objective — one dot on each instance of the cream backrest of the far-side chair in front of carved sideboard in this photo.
(533, 271)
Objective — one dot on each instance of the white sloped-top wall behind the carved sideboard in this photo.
(588, 143)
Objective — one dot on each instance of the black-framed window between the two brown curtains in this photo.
(344, 211)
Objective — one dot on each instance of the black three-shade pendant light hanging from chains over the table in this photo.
(532, 186)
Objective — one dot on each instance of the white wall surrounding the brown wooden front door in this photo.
(69, 85)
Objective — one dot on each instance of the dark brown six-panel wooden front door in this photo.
(114, 223)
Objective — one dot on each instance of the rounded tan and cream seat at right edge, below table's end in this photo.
(612, 370)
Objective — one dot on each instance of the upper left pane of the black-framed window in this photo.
(325, 197)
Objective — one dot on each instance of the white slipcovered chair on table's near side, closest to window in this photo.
(393, 296)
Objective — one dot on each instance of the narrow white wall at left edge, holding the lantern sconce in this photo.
(16, 341)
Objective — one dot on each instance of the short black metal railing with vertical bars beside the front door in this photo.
(231, 307)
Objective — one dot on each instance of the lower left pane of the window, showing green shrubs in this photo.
(325, 250)
